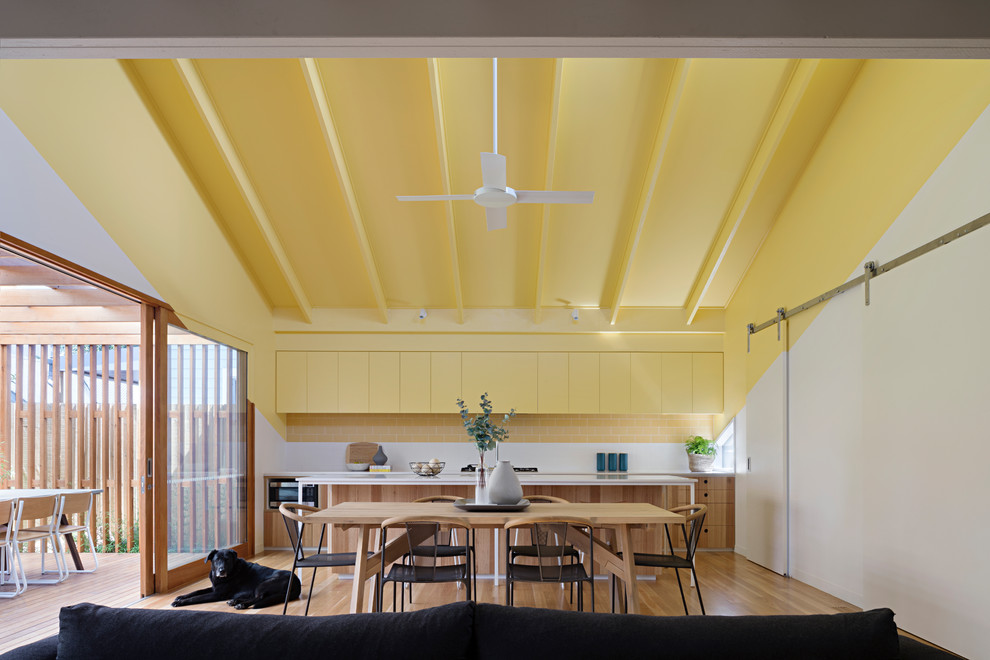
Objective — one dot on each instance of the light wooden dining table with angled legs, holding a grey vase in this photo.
(618, 516)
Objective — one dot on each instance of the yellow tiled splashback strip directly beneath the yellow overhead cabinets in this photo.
(446, 427)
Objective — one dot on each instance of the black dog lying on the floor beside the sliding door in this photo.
(243, 584)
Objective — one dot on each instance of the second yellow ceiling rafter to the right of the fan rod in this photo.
(675, 90)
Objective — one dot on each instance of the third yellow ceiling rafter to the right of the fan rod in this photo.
(797, 83)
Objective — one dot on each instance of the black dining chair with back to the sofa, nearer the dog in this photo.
(423, 538)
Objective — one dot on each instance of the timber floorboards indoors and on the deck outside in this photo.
(730, 585)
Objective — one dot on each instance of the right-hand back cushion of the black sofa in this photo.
(522, 633)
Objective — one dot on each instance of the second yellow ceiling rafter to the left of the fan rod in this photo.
(318, 93)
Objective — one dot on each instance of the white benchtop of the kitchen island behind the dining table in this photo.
(467, 478)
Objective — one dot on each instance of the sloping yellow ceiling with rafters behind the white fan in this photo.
(691, 162)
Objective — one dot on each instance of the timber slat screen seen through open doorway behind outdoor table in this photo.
(69, 418)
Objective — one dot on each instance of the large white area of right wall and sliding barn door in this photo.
(888, 435)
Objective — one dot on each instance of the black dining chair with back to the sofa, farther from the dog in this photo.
(550, 565)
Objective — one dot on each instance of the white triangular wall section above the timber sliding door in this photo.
(37, 207)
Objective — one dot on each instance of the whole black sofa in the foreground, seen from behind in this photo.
(466, 630)
